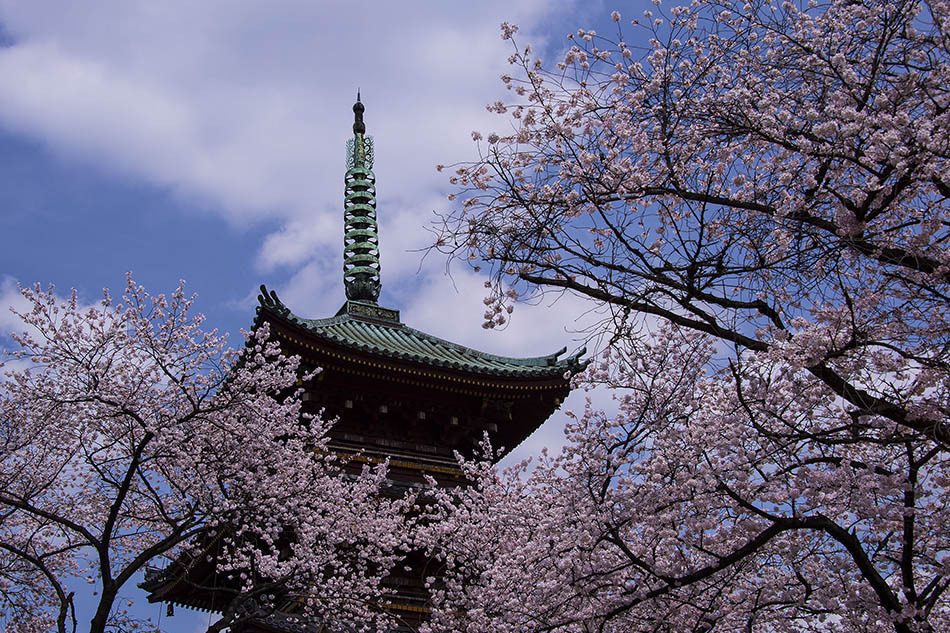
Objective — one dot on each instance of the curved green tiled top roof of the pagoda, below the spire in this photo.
(384, 335)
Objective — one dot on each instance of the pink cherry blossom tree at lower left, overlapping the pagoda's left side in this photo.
(129, 433)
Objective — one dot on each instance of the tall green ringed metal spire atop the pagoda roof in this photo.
(360, 239)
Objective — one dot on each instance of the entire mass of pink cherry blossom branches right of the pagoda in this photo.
(759, 197)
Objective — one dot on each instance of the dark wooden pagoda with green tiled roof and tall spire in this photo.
(399, 394)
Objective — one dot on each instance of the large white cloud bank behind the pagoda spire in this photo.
(245, 108)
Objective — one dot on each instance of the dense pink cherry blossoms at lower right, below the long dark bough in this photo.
(739, 499)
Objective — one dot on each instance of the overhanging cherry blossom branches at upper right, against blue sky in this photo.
(774, 176)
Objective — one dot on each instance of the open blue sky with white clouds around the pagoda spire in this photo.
(205, 141)
